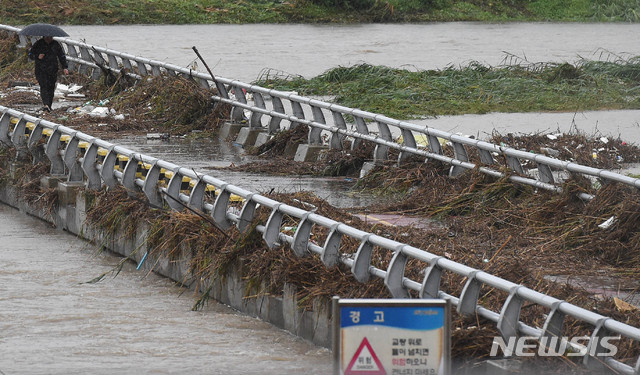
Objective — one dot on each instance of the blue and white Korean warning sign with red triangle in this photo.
(391, 337)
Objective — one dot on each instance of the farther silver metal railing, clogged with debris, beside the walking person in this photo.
(365, 126)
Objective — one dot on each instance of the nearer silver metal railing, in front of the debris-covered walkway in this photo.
(95, 163)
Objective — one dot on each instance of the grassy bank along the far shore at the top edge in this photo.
(311, 11)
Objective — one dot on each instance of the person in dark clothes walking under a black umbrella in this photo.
(46, 53)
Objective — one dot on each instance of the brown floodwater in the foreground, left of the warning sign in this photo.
(53, 322)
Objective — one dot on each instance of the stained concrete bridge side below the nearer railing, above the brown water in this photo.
(230, 289)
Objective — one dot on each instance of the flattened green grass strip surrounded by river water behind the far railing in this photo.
(476, 88)
